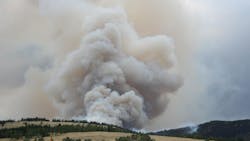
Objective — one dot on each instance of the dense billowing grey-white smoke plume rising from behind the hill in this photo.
(114, 76)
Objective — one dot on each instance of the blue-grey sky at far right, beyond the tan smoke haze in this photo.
(225, 58)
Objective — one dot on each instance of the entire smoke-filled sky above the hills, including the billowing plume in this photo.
(57, 57)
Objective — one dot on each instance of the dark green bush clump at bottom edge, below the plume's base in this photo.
(135, 137)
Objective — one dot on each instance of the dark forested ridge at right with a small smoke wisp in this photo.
(214, 130)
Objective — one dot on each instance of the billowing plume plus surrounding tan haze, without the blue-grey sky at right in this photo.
(100, 60)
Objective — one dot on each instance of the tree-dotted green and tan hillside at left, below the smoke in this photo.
(41, 127)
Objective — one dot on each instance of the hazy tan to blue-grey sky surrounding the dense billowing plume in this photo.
(212, 40)
